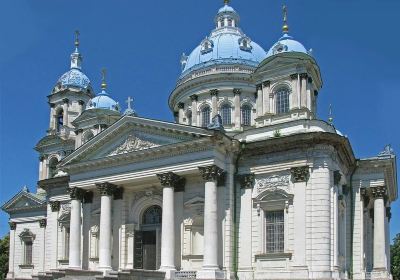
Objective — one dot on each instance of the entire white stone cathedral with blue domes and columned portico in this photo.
(246, 183)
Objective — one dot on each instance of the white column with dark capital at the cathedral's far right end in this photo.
(378, 194)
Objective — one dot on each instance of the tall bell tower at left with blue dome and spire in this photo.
(67, 101)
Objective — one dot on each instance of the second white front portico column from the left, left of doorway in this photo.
(106, 191)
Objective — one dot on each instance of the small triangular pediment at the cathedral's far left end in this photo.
(23, 201)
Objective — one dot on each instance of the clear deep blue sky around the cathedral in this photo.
(140, 44)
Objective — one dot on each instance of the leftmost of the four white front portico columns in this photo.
(76, 195)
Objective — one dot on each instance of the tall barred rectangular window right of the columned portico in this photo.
(275, 231)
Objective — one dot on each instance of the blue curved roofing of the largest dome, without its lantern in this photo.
(226, 47)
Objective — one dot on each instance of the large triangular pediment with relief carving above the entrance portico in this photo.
(132, 134)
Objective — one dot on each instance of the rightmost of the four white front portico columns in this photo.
(211, 175)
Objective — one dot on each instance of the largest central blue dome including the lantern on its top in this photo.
(226, 44)
